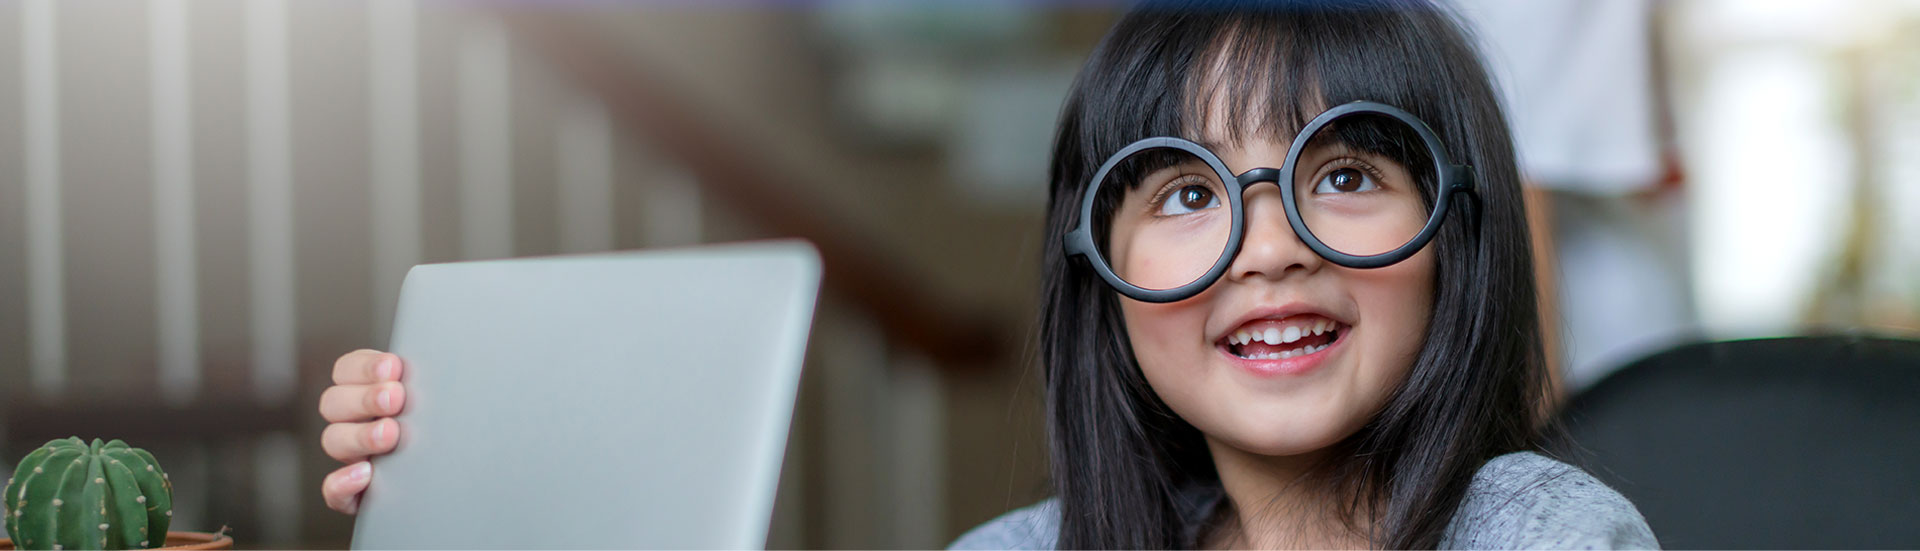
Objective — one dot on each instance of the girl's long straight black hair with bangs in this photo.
(1120, 458)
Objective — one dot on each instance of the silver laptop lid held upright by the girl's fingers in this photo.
(594, 402)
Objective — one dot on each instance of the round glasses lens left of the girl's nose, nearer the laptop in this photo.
(1163, 218)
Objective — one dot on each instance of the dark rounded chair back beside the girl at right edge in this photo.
(1764, 444)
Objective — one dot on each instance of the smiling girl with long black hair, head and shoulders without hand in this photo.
(1276, 318)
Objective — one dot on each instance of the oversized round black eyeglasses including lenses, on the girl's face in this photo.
(1364, 185)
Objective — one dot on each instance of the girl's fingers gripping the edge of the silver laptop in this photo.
(356, 408)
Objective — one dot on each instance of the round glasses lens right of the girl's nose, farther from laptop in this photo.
(1362, 185)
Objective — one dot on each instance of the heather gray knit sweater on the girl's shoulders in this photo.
(1516, 502)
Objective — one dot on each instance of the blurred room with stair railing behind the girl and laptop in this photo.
(206, 203)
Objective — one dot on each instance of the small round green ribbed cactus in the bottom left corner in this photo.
(76, 496)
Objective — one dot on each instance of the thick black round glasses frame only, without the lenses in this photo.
(1452, 180)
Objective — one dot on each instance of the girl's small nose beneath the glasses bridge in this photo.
(1270, 247)
